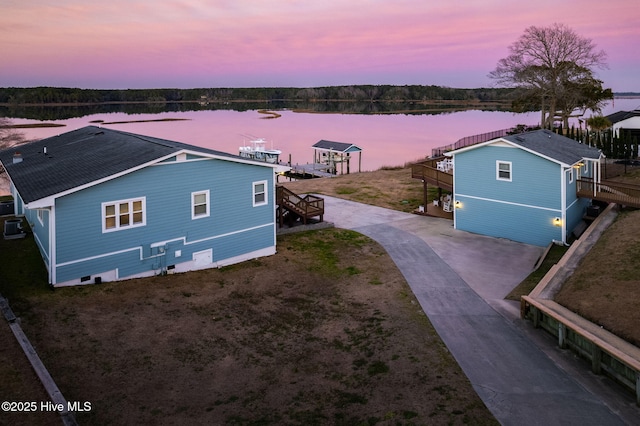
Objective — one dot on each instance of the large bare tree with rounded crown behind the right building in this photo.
(555, 67)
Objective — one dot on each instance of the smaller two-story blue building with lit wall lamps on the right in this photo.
(523, 187)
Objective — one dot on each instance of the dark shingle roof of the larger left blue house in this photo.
(60, 163)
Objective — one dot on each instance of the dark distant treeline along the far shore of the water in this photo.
(368, 93)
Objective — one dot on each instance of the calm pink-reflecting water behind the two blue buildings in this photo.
(386, 140)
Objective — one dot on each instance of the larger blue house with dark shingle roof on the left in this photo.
(107, 205)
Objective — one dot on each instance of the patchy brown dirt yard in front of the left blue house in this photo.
(324, 332)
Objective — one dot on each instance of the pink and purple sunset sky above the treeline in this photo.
(120, 44)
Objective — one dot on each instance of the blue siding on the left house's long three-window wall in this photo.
(233, 227)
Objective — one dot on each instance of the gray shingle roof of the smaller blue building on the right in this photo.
(554, 146)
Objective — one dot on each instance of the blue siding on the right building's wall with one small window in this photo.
(521, 210)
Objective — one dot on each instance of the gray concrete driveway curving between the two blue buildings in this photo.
(460, 280)
